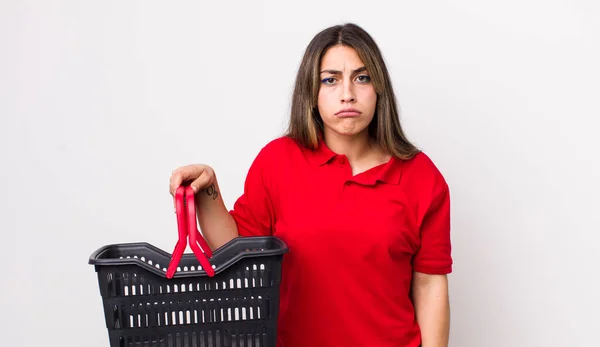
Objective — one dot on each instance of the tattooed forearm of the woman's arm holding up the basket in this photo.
(216, 223)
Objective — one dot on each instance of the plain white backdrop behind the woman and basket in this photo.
(101, 100)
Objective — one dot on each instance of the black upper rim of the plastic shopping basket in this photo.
(220, 254)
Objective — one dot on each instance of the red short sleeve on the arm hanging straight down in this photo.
(434, 254)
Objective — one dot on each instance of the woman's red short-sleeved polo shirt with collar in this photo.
(354, 241)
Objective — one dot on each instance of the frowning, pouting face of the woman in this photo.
(345, 85)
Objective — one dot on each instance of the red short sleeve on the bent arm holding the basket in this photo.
(253, 211)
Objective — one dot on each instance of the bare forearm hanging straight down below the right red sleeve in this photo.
(432, 307)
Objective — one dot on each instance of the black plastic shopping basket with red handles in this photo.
(200, 299)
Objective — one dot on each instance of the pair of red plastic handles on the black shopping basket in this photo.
(185, 208)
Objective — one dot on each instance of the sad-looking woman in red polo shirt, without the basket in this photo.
(364, 213)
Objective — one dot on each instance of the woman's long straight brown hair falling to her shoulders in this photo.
(306, 125)
